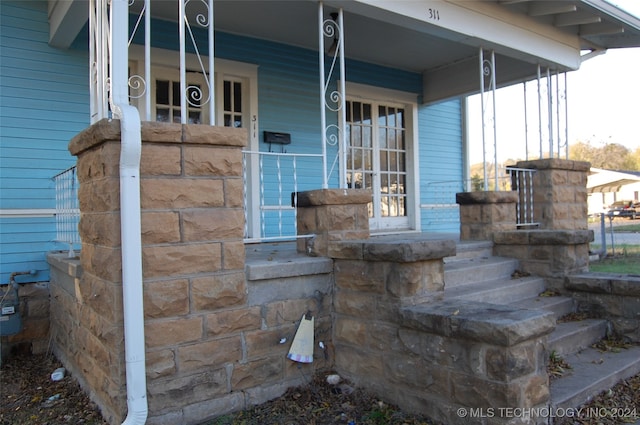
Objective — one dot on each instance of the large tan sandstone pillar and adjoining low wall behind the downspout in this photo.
(212, 338)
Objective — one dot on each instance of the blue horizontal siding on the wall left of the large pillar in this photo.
(44, 103)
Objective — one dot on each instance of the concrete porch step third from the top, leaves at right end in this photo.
(499, 291)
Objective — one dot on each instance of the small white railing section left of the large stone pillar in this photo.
(67, 209)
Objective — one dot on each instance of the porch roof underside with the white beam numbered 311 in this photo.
(401, 34)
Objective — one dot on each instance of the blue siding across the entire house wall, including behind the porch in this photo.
(45, 102)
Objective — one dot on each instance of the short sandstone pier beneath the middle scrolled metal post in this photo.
(331, 215)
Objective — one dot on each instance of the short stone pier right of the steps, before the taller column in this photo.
(482, 214)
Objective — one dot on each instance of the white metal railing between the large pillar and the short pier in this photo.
(270, 197)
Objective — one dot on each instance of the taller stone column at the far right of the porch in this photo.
(560, 193)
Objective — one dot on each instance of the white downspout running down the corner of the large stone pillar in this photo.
(130, 228)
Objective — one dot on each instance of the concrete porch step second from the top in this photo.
(474, 270)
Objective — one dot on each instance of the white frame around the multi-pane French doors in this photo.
(407, 101)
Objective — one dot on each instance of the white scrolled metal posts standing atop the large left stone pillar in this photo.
(191, 16)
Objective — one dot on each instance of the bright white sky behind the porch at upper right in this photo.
(603, 103)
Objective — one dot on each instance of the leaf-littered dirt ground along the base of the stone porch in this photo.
(29, 396)
